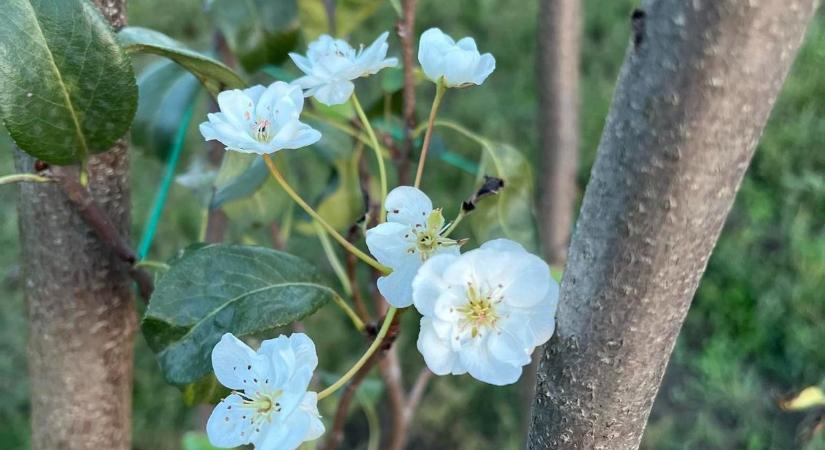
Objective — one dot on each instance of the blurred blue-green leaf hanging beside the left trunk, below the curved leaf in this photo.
(165, 92)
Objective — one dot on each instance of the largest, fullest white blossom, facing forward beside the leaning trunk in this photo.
(485, 311)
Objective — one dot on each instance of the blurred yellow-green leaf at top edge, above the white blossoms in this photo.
(349, 15)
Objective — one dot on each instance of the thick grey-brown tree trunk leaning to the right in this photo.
(693, 96)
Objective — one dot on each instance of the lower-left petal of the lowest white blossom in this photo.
(227, 427)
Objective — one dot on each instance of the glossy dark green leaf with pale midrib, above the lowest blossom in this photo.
(217, 289)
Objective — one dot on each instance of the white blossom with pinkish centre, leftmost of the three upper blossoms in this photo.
(260, 120)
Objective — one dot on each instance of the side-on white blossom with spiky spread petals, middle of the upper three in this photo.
(331, 64)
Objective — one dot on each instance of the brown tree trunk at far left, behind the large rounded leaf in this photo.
(80, 306)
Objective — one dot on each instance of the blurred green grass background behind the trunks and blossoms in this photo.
(755, 332)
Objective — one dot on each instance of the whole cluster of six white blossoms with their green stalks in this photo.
(483, 312)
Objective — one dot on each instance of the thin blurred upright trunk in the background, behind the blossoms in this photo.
(559, 36)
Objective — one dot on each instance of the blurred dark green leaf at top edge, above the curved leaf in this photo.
(259, 32)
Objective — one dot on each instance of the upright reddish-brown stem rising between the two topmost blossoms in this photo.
(406, 32)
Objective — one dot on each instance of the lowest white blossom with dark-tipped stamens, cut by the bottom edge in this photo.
(269, 406)
